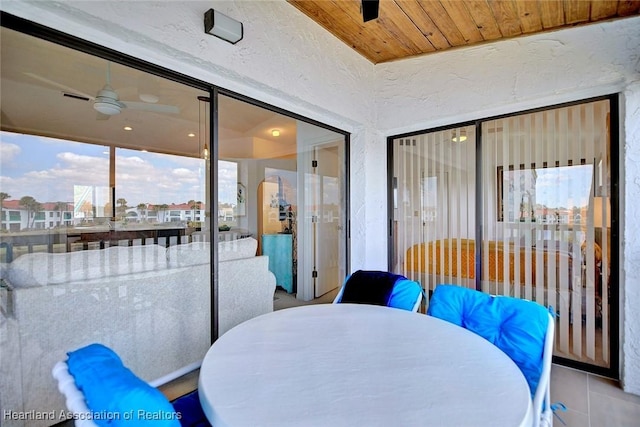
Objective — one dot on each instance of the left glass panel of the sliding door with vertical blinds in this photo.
(434, 206)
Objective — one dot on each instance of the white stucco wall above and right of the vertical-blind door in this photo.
(535, 71)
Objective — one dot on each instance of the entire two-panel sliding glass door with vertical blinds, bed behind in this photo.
(535, 190)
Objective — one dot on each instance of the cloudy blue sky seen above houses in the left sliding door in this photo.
(49, 170)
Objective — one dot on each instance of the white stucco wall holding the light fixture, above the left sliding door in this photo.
(284, 59)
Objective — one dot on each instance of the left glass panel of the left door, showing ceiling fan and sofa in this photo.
(98, 195)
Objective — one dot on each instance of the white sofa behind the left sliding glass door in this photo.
(150, 304)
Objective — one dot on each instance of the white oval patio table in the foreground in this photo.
(359, 365)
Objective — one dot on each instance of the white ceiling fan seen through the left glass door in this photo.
(107, 102)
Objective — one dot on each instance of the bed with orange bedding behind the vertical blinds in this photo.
(455, 258)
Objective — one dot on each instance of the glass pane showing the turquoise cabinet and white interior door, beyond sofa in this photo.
(292, 174)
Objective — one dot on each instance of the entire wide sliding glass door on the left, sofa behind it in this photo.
(116, 176)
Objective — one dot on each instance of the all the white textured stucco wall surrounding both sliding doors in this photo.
(288, 61)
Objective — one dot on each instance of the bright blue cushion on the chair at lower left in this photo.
(115, 396)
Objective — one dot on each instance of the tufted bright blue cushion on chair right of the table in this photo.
(516, 326)
